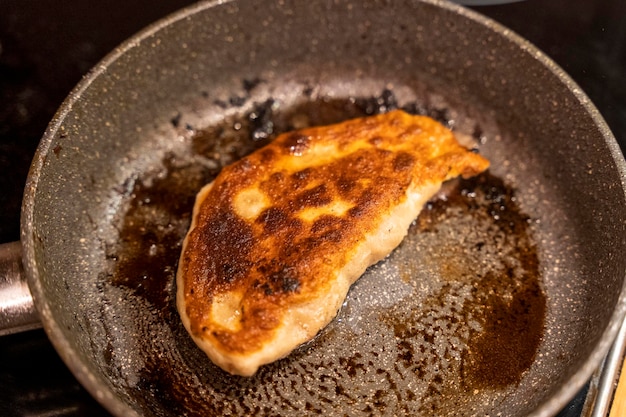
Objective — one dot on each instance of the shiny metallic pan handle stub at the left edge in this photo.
(17, 309)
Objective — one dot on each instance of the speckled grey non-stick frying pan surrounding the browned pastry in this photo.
(502, 300)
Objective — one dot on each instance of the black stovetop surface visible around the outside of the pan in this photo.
(46, 46)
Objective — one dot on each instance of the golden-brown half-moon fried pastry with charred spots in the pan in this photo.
(277, 239)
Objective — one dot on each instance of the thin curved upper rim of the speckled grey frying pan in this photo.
(113, 403)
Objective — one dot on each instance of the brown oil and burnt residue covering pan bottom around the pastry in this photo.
(462, 315)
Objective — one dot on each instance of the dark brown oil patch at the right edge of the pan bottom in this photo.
(509, 302)
